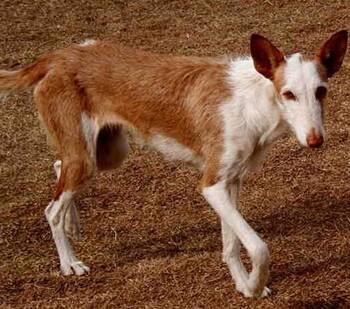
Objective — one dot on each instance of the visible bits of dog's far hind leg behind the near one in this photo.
(72, 222)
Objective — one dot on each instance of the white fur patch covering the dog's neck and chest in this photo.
(251, 119)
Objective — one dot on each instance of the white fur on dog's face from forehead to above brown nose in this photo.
(303, 112)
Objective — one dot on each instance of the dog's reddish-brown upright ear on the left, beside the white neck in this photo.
(266, 56)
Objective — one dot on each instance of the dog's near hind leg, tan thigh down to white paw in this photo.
(61, 102)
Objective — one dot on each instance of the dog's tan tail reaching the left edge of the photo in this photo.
(11, 81)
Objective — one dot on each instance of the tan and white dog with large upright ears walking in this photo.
(218, 113)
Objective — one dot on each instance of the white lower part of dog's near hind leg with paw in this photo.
(55, 214)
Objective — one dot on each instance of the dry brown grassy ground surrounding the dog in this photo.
(150, 239)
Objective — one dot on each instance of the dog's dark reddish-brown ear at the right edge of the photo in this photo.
(332, 52)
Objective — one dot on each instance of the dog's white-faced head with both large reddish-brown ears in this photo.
(301, 83)
